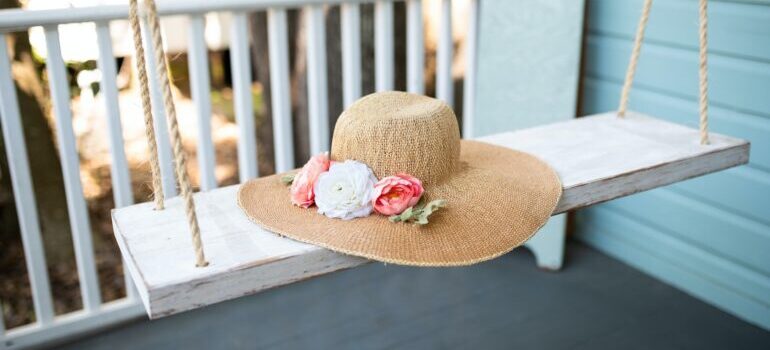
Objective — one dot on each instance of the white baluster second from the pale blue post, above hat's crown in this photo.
(444, 55)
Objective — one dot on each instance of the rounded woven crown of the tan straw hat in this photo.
(398, 132)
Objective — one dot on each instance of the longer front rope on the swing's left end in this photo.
(176, 140)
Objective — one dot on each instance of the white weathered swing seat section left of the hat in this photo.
(244, 258)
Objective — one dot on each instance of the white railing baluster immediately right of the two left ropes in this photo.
(197, 55)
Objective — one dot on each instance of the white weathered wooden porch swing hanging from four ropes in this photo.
(598, 158)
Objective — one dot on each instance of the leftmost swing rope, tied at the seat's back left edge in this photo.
(149, 130)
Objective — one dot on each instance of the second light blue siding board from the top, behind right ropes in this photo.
(736, 84)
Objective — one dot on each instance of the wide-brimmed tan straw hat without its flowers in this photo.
(496, 198)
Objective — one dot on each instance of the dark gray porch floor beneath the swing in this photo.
(595, 302)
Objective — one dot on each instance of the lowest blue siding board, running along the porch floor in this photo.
(651, 261)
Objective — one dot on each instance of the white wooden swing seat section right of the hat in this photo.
(603, 157)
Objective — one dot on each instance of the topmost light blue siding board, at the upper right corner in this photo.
(734, 28)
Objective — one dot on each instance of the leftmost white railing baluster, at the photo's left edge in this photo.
(21, 180)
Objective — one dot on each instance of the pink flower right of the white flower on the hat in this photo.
(394, 194)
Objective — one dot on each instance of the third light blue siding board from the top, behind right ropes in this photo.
(601, 96)
